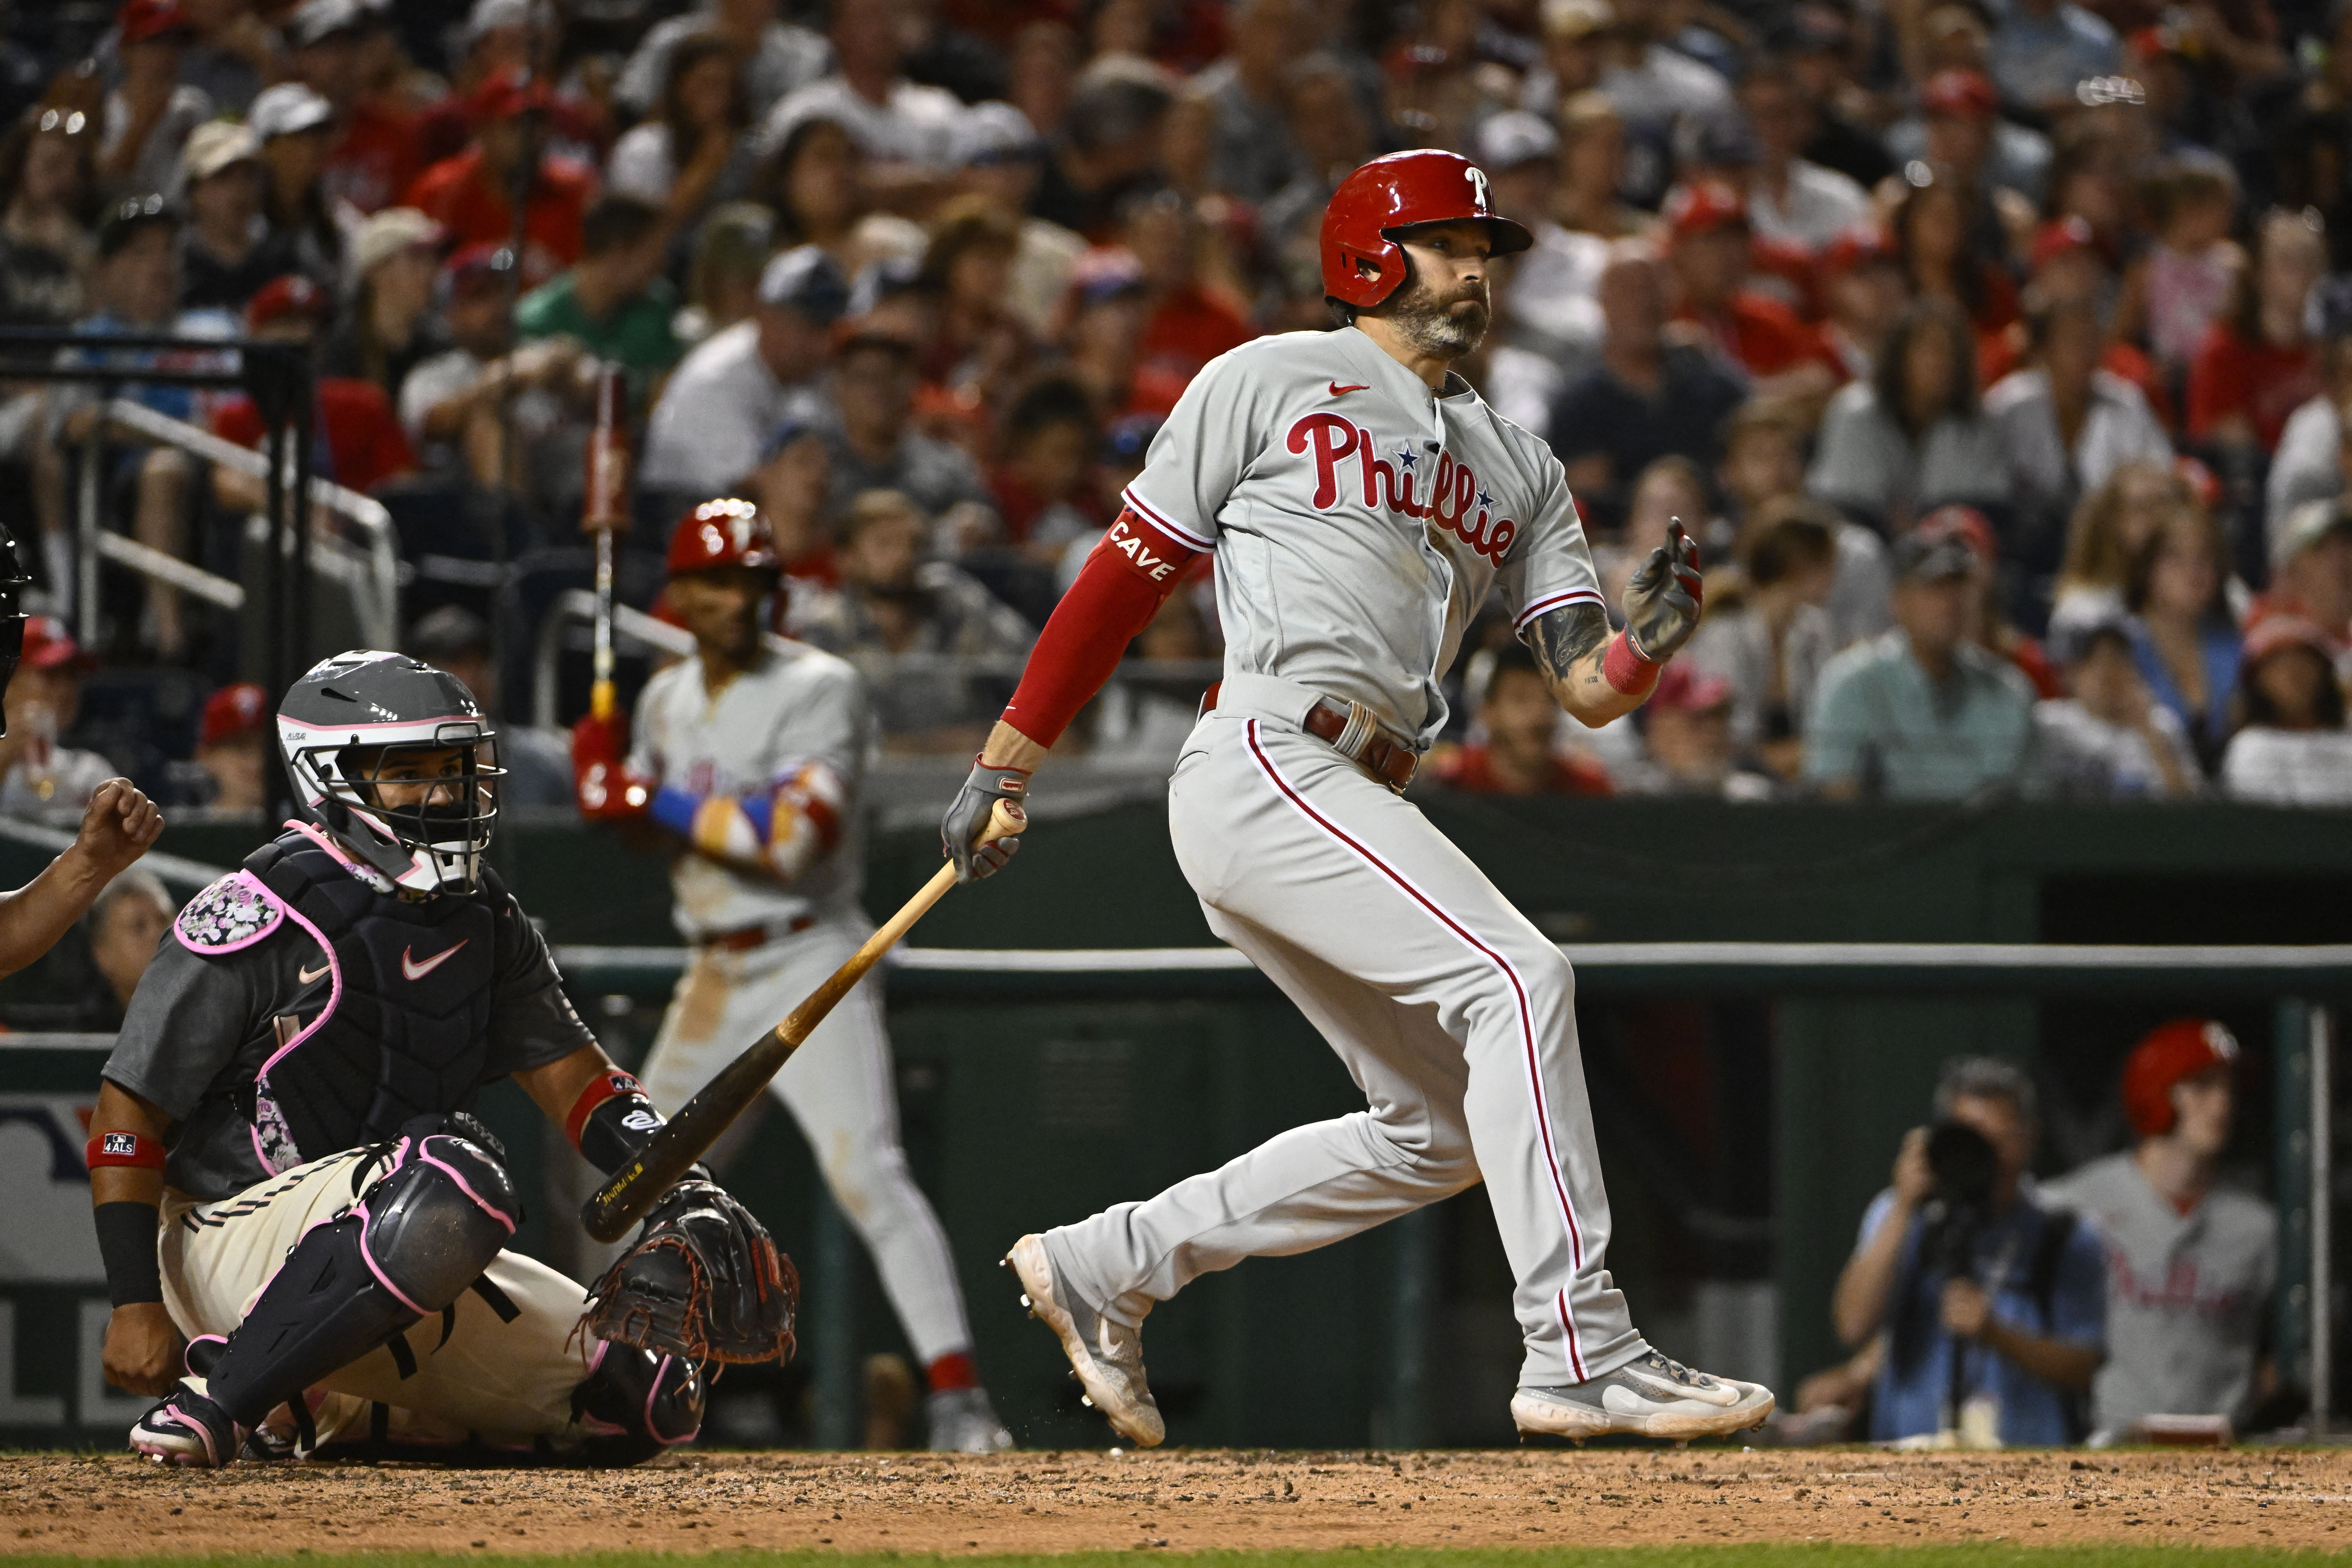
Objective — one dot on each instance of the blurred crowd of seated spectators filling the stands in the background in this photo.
(1998, 351)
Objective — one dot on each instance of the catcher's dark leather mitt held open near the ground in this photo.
(704, 1282)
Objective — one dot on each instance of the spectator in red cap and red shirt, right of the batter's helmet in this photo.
(1713, 257)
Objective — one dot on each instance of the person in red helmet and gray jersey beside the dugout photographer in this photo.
(2191, 1264)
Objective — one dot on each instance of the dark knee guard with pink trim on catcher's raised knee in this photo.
(436, 1219)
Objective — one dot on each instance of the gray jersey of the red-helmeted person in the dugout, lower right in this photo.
(2186, 1294)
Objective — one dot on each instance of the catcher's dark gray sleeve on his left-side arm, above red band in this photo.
(187, 1024)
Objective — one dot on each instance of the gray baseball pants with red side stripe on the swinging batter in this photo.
(1452, 1012)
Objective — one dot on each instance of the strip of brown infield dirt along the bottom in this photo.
(107, 1506)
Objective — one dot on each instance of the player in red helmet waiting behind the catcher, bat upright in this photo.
(749, 756)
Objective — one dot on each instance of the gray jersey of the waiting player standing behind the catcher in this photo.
(796, 706)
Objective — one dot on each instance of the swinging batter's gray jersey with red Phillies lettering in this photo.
(1361, 518)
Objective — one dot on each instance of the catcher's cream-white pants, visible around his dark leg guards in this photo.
(502, 1381)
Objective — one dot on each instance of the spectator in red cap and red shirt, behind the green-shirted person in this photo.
(469, 194)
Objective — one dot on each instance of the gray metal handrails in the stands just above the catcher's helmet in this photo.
(368, 568)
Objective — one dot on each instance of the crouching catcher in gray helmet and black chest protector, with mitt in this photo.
(293, 1200)
